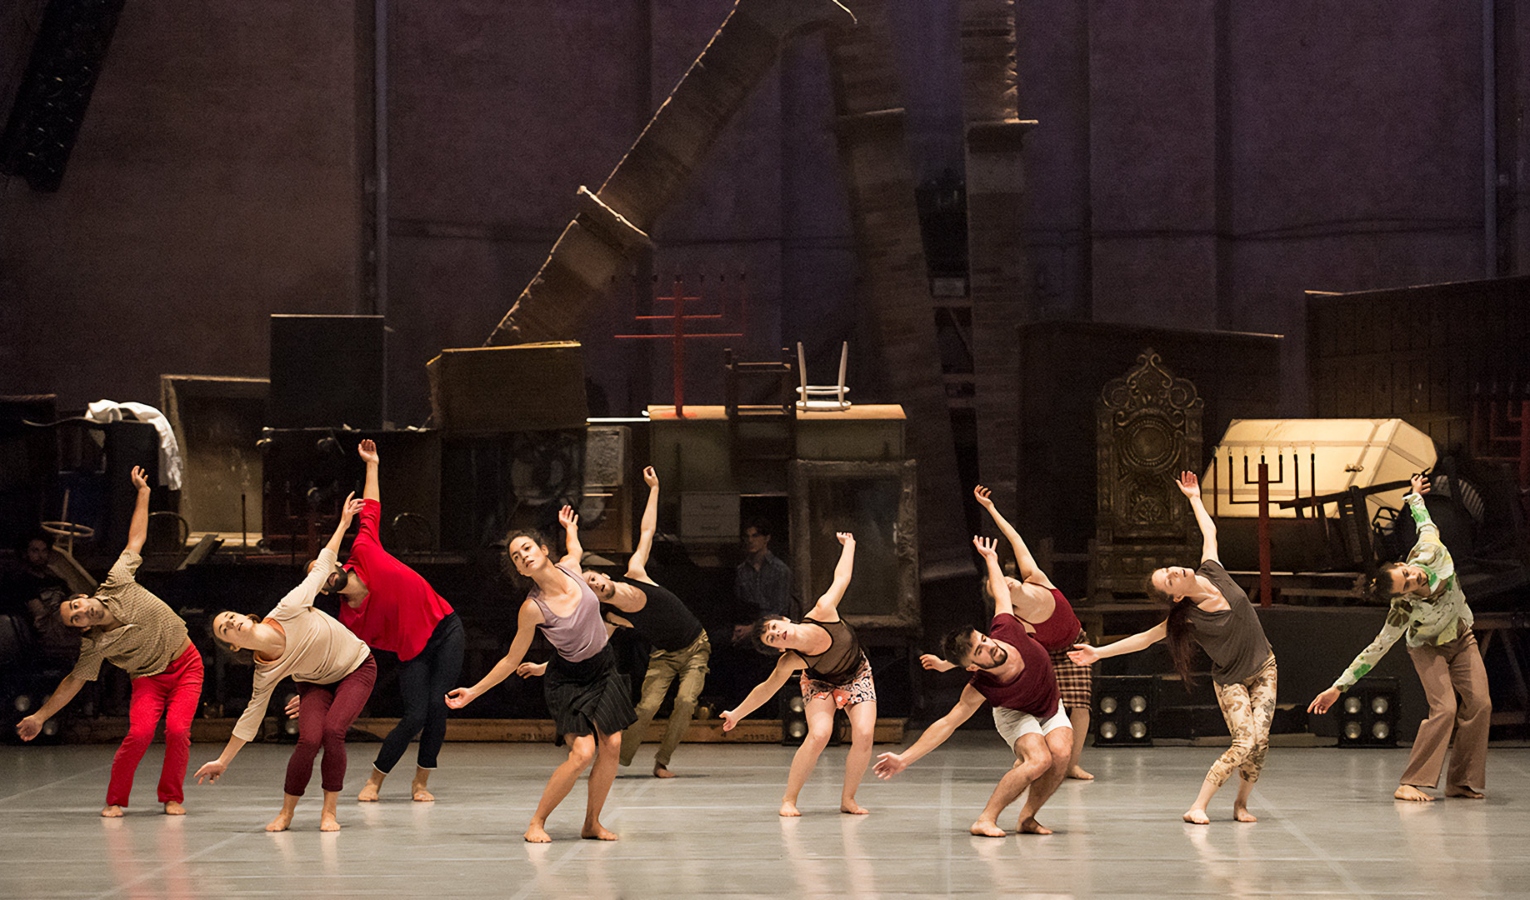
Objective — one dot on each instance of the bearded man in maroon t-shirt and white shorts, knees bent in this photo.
(1015, 674)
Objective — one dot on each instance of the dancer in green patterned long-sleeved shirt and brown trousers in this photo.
(1428, 604)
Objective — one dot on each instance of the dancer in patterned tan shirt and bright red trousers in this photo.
(138, 633)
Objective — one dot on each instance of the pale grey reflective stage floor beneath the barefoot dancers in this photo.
(1327, 827)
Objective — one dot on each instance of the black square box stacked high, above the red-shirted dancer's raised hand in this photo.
(327, 371)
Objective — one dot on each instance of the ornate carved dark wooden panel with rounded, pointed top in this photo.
(1148, 432)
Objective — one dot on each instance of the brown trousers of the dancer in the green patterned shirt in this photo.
(1448, 671)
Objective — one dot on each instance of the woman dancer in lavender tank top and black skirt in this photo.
(588, 699)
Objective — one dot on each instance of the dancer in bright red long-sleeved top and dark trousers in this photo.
(392, 608)
